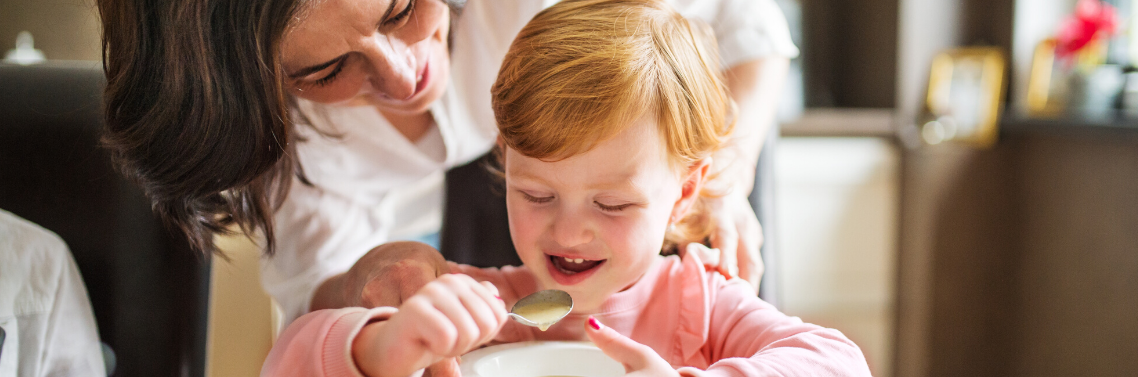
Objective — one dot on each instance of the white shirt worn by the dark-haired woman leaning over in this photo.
(374, 186)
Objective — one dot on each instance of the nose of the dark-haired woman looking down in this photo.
(395, 68)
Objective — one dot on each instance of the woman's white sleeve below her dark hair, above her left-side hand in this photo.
(319, 235)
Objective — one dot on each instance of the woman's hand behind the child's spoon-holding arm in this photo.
(386, 276)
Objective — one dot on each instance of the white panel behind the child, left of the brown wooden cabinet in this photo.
(837, 211)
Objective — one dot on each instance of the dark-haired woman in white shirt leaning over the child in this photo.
(327, 126)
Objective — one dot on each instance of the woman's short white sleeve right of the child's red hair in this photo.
(746, 30)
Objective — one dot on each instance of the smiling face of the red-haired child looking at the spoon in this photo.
(609, 207)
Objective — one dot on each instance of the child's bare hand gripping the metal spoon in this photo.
(447, 318)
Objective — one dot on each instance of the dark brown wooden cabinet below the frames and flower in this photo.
(1021, 260)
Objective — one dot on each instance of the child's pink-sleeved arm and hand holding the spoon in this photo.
(446, 319)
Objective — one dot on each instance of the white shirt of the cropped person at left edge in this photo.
(44, 307)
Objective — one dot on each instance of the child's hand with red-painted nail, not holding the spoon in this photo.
(639, 360)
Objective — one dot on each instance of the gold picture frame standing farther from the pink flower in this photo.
(966, 97)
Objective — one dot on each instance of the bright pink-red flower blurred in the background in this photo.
(1093, 20)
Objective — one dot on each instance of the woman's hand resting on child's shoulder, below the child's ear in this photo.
(736, 241)
